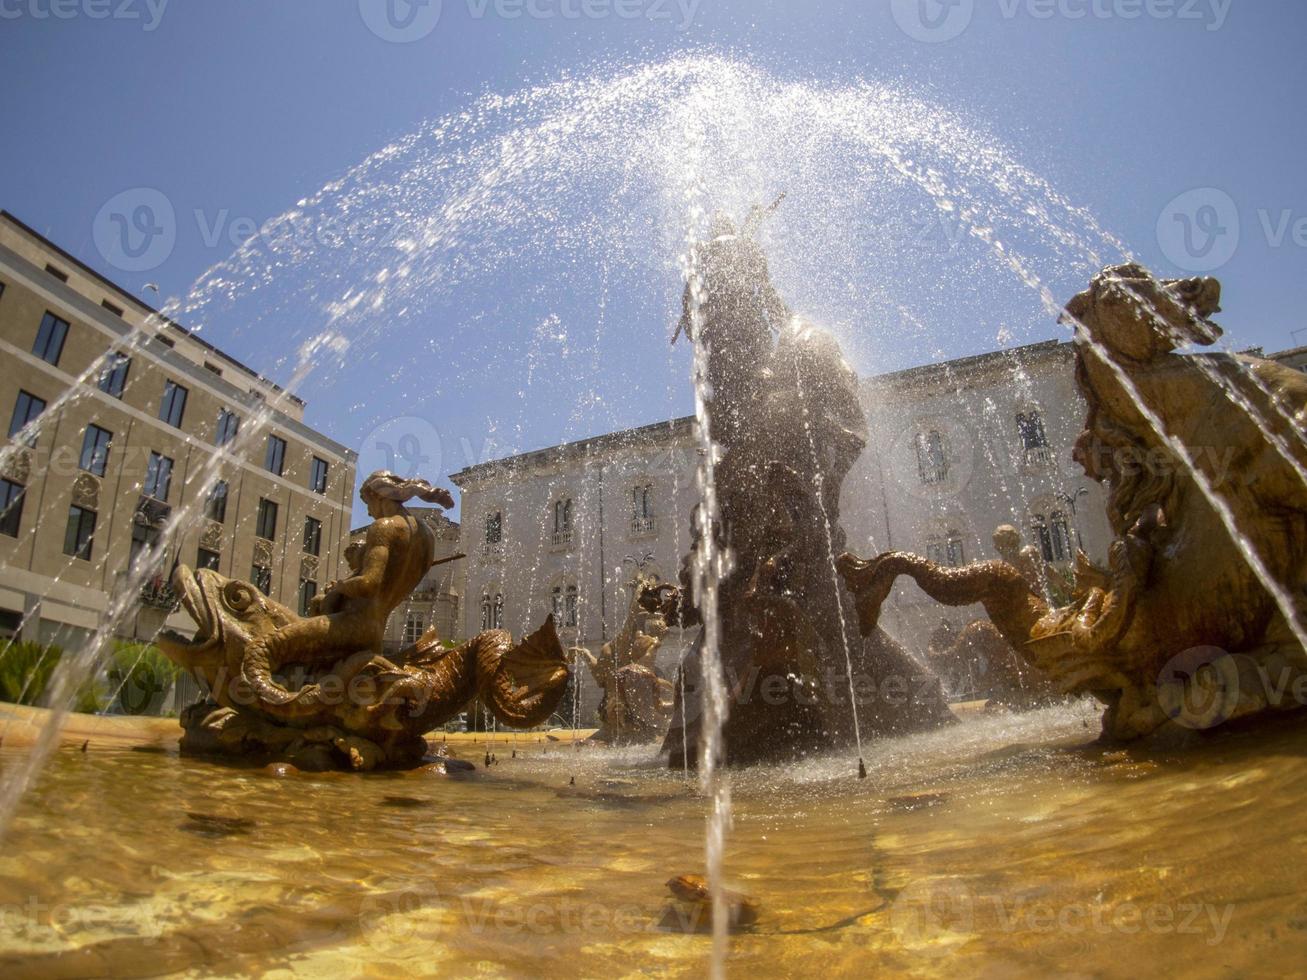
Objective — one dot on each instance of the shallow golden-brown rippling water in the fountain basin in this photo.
(1006, 847)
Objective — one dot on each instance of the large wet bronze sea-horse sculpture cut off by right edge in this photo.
(1181, 632)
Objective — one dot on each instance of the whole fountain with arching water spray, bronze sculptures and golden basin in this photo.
(1003, 843)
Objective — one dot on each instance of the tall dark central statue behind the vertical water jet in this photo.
(786, 415)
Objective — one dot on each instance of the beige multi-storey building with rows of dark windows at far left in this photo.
(90, 480)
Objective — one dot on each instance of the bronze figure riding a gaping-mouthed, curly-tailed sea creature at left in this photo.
(317, 691)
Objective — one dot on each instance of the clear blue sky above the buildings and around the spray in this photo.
(242, 108)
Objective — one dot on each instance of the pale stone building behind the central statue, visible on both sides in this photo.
(956, 450)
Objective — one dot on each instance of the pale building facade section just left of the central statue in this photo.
(564, 530)
